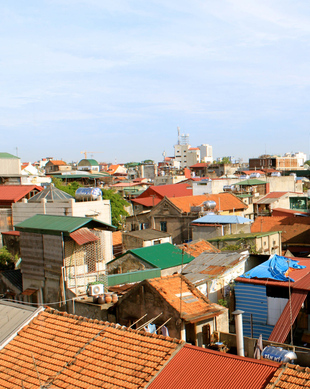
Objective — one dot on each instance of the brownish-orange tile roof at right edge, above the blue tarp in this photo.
(294, 229)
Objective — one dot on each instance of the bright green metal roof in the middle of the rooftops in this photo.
(163, 255)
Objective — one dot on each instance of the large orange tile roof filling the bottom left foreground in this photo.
(72, 351)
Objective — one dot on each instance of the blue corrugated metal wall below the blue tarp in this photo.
(252, 299)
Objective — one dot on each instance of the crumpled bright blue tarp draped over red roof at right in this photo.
(274, 269)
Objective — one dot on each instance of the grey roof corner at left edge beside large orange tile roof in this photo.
(12, 316)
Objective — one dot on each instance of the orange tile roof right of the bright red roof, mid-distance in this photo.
(224, 202)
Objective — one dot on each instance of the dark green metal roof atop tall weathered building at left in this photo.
(54, 224)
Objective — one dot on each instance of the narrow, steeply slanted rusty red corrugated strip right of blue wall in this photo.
(292, 308)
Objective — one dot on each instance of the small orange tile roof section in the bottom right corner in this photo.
(290, 377)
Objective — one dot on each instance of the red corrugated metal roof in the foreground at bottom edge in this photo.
(197, 368)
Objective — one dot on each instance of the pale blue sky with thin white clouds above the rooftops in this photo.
(116, 78)
